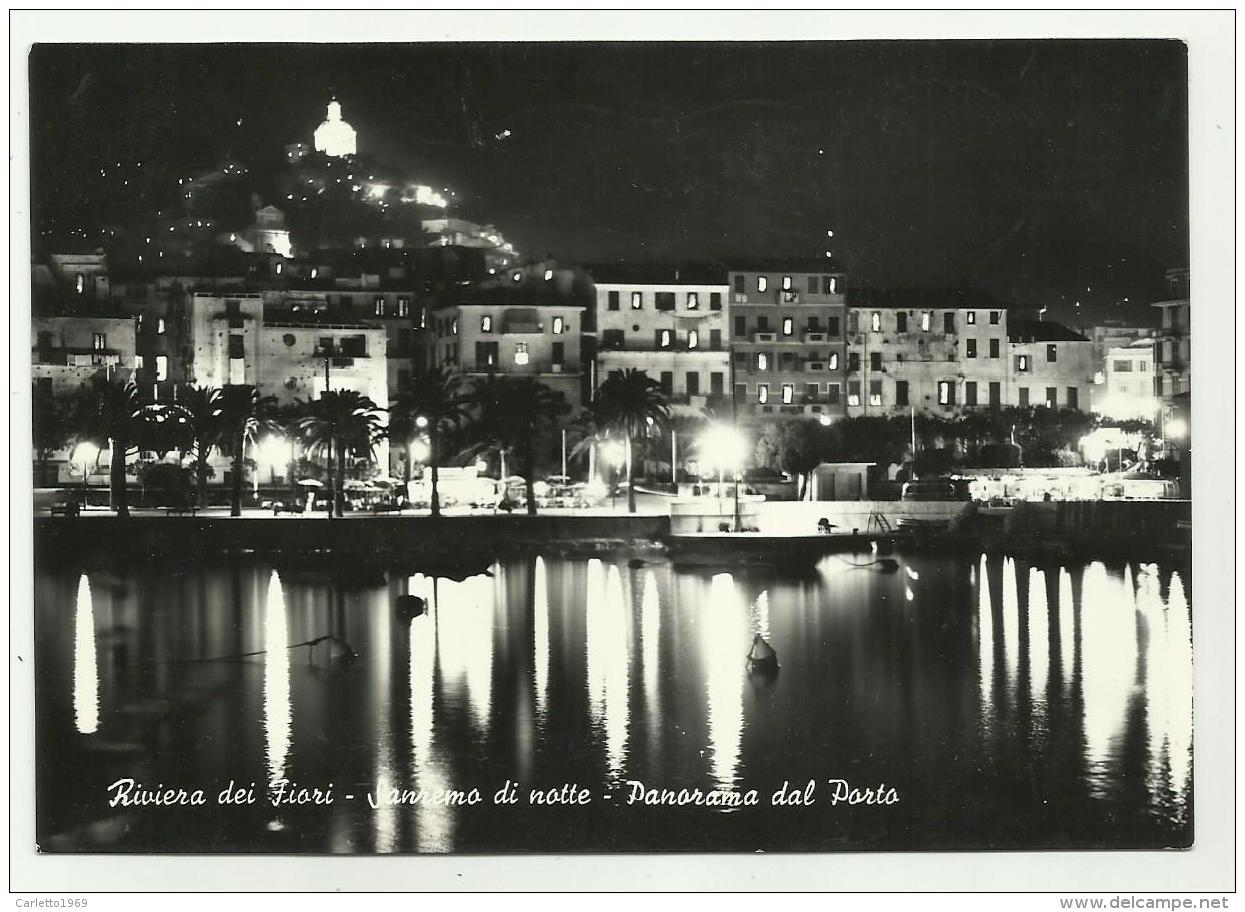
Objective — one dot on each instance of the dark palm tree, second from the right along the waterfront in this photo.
(514, 414)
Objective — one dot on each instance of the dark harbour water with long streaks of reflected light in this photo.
(1008, 706)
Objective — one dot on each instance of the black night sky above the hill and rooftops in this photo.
(1046, 172)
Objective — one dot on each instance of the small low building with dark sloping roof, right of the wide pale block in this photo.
(1050, 365)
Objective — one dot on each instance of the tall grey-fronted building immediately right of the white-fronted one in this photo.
(787, 323)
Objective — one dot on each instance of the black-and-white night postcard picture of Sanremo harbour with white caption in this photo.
(602, 446)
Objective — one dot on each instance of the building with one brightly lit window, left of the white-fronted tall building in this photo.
(527, 323)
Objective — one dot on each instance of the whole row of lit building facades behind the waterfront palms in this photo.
(751, 340)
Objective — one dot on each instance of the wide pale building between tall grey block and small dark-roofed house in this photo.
(924, 350)
